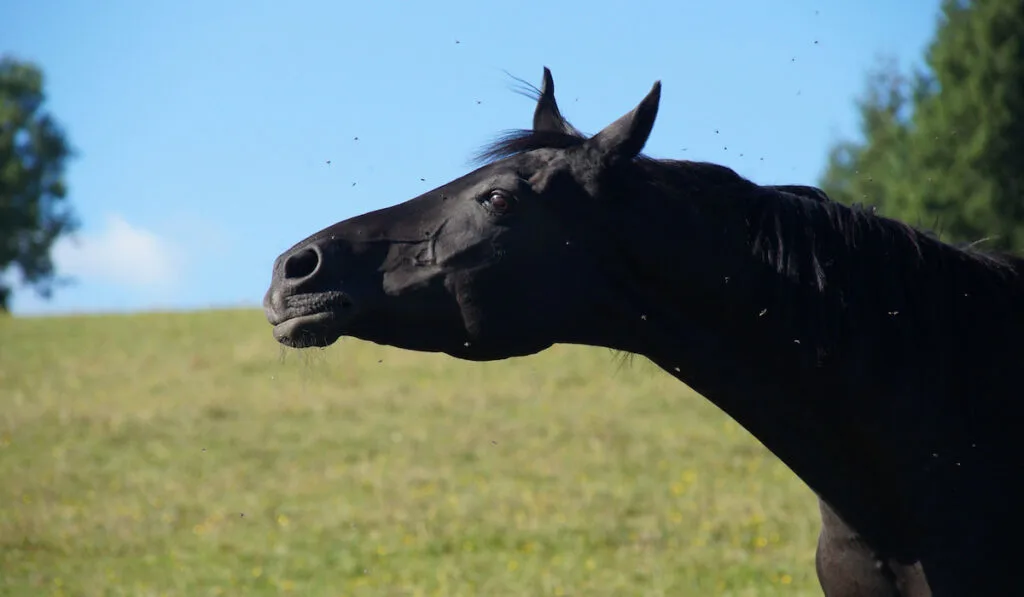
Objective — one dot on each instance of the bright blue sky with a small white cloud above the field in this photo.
(204, 129)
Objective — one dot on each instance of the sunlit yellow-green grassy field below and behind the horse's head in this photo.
(190, 455)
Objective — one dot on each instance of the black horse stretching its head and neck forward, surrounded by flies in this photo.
(879, 363)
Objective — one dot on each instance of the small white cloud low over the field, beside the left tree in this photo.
(122, 254)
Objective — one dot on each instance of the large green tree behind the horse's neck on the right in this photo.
(946, 147)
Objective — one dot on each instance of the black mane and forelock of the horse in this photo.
(841, 264)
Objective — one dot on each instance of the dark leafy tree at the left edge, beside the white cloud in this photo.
(34, 212)
